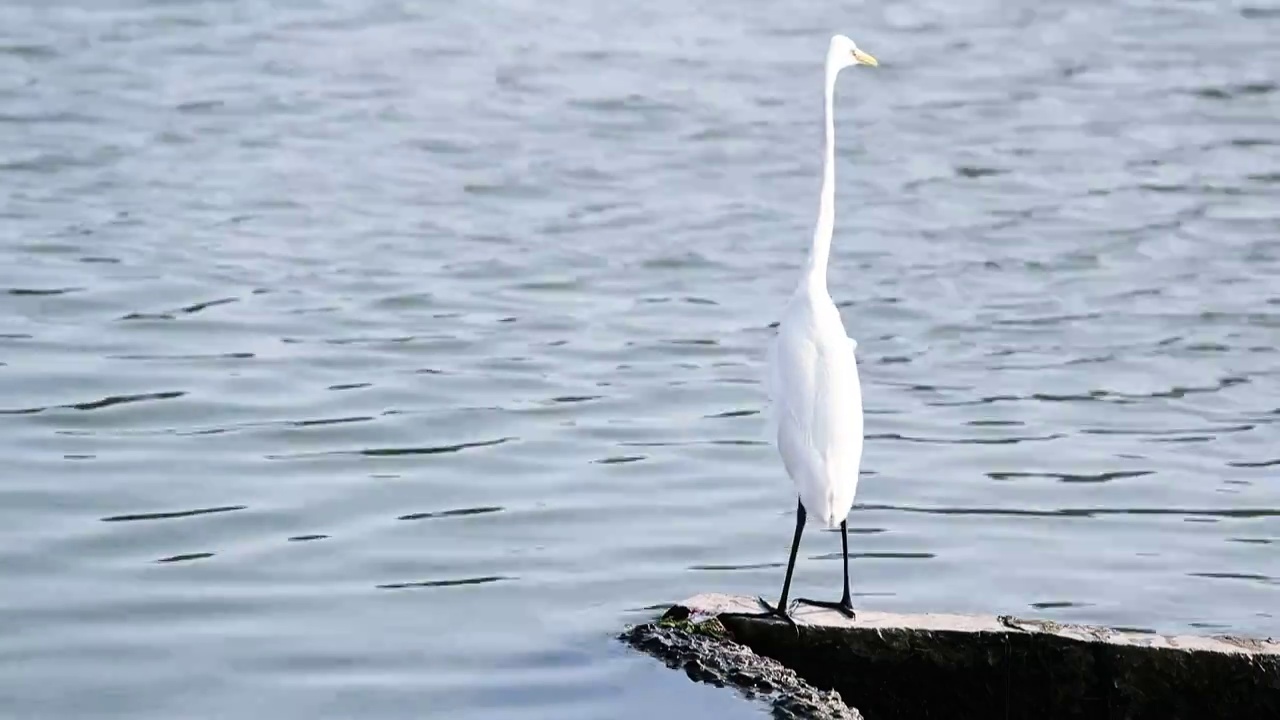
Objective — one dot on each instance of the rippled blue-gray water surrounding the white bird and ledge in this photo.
(385, 359)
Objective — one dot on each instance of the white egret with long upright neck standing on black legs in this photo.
(817, 403)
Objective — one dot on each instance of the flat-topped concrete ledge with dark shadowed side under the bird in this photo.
(941, 667)
